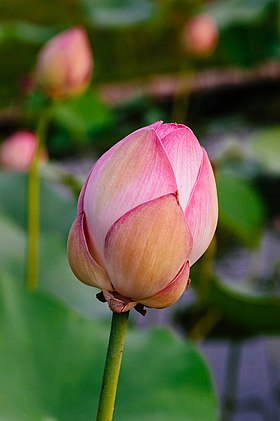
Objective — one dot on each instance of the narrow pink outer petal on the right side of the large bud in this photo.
(202, 210)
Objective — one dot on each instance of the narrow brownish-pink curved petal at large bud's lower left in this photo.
(83, 265)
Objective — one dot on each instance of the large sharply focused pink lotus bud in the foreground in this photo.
(146, 213)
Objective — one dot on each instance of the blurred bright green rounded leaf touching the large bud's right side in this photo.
(241, 210)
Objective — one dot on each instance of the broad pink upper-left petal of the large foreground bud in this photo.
(134, 171)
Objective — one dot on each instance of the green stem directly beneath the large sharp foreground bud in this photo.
(112, 367)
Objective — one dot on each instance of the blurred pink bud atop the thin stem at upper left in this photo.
(64, 64)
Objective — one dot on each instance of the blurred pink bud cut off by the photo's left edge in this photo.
(18, 150)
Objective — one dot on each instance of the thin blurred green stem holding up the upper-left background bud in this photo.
(33, 208)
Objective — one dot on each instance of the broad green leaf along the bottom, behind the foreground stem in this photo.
(51, 364)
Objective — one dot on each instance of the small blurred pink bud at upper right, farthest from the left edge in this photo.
(200, 35)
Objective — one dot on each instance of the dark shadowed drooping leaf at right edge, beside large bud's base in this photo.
(230, 309)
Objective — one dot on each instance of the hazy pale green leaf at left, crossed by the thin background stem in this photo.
(58, 212)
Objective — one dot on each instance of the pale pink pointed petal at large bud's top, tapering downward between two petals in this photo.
(185, 154)
